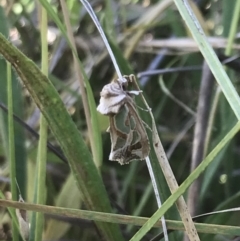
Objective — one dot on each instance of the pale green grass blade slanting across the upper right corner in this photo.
(209, 55)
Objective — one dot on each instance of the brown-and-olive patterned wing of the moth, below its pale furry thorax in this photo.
(128, 136)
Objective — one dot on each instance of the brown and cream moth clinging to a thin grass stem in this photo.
(128, 135)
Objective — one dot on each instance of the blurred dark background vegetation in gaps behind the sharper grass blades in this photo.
(127, 185)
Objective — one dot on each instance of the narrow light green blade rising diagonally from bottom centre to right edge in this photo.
(193, 176)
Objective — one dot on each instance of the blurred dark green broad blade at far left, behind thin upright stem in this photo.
(20, 149)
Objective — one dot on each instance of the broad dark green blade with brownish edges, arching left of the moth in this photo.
(66, 133)
